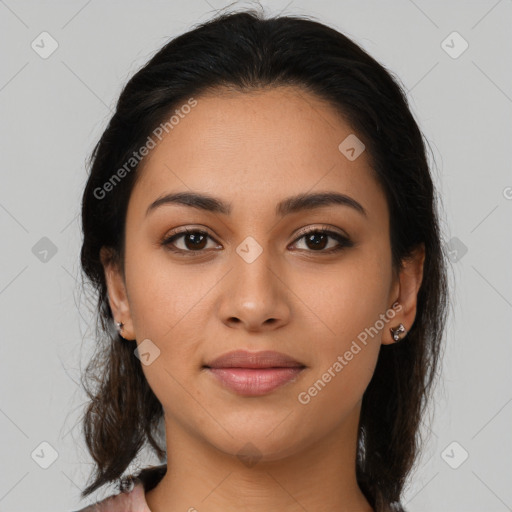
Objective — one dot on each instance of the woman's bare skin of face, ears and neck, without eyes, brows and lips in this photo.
(253, 150)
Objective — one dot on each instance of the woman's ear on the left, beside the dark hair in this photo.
(117, 296)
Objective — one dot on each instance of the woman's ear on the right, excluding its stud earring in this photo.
(405, 293)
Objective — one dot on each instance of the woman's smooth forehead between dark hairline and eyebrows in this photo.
(256, 148)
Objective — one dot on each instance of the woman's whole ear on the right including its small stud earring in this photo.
(410, 279)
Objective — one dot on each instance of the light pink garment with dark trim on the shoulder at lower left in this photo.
(132, 498)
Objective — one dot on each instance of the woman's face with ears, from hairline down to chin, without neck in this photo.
(251, 277)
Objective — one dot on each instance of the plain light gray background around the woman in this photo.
(54, 110)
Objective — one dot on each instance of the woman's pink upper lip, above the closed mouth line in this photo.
(245, 359)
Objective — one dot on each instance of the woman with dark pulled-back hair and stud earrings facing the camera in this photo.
(260, 224)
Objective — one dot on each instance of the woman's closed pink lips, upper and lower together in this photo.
(254, 373)
